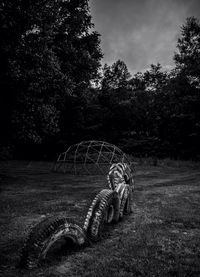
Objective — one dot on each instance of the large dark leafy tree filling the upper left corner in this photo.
(49, 51)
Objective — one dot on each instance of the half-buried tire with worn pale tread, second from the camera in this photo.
(103, 210)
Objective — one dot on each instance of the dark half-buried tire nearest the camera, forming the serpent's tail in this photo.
(44, 235)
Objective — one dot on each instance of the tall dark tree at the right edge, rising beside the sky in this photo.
(176, 113)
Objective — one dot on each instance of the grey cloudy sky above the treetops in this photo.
(141, 32)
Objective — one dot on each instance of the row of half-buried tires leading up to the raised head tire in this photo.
(109, 206)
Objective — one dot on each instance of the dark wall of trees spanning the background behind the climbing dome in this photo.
(54, 91)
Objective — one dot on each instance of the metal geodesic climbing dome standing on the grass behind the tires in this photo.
(90, 157)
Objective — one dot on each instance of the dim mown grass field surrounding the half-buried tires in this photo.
(160, 238)
